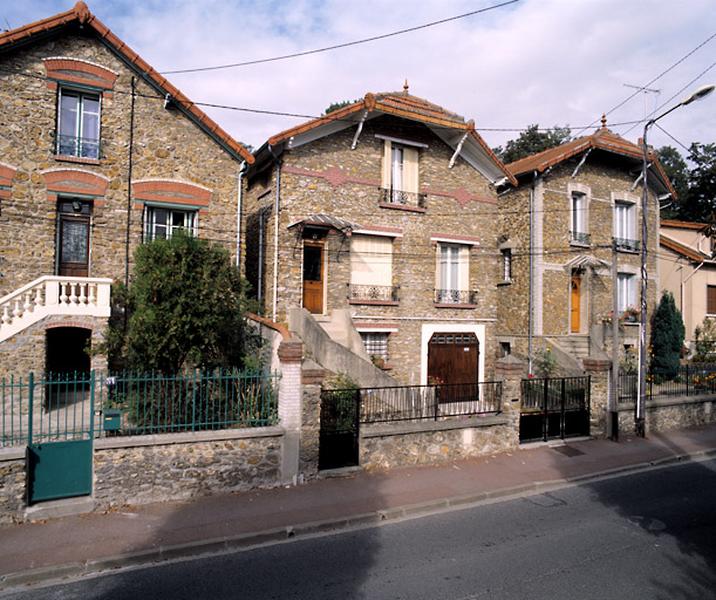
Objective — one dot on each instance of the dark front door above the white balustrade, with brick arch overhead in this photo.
(73, 238)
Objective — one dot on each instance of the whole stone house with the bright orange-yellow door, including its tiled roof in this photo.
(573, 220)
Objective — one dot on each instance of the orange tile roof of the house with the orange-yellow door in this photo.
(602, 139)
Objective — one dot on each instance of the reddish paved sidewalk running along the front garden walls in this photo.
(75, 545)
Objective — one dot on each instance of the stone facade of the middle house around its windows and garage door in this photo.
(327, 176)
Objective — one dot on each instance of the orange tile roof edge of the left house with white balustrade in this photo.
(80, 14)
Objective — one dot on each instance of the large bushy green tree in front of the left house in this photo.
(184, 309)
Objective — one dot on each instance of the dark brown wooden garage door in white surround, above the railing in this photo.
(453, 358)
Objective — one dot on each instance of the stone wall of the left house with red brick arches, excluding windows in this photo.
(175, 164)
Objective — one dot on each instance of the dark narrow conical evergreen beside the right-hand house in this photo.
(667, 337)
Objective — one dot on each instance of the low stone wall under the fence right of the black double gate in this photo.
(671, 413)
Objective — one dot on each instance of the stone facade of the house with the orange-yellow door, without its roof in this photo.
(603, 180)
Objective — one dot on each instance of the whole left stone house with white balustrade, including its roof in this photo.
(98, 153)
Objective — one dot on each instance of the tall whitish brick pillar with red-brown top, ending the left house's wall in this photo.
(290, 355)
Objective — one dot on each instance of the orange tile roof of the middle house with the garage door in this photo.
(399, 104)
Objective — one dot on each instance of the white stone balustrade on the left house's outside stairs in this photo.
(53, 295)
